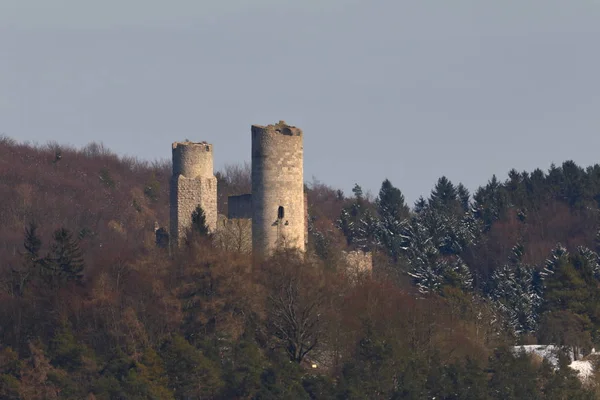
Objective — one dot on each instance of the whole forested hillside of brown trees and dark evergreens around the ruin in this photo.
(91, 308)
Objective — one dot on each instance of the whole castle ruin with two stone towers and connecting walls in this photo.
(274, 215)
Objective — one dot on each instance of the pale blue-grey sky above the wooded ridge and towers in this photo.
(408, 90)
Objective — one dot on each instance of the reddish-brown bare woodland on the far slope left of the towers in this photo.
(88, 191)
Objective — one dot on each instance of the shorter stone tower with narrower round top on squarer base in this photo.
(193, 183)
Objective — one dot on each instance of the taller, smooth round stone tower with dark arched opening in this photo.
(278, 214)
